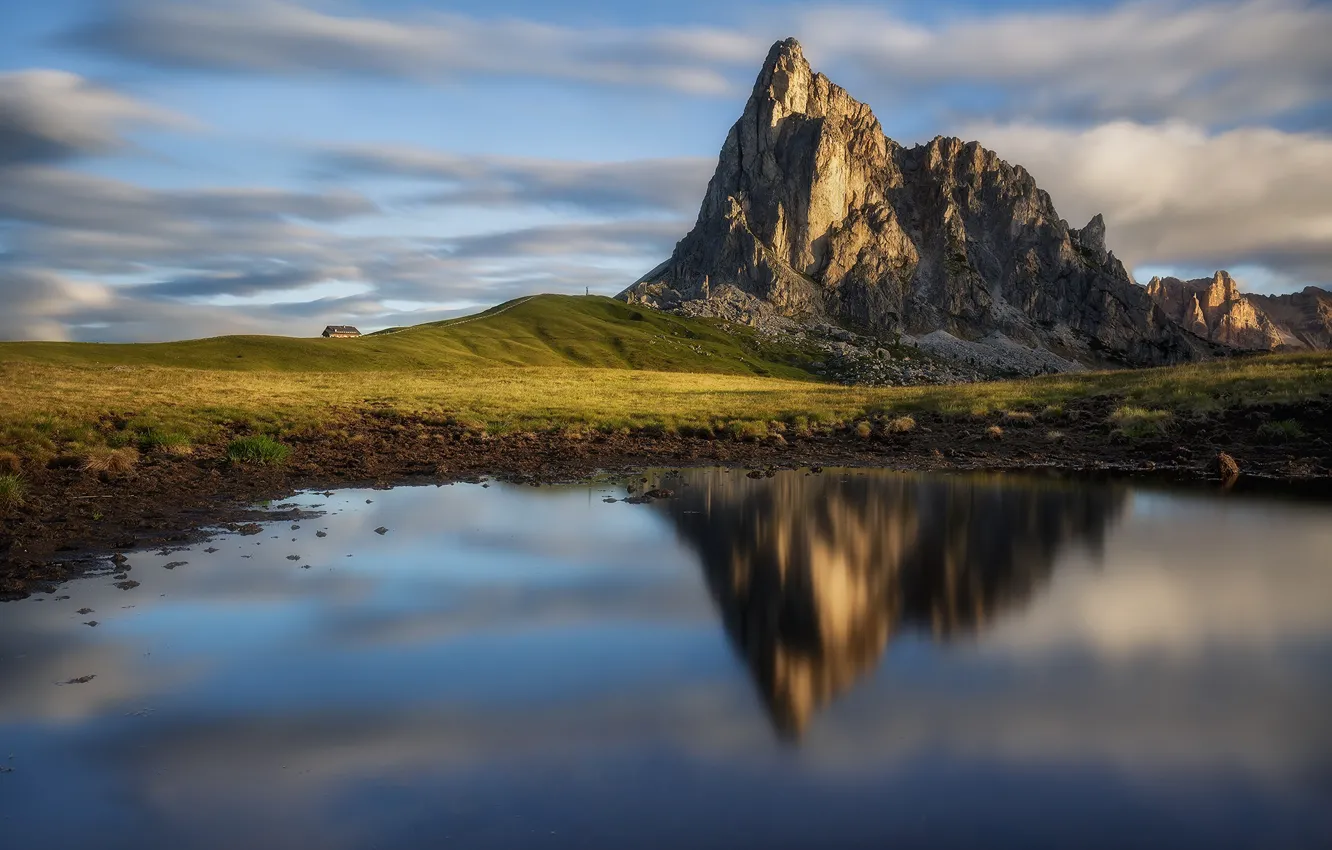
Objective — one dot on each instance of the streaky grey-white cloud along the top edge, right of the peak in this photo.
(1210, 62)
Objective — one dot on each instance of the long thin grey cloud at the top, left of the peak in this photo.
(276, 37)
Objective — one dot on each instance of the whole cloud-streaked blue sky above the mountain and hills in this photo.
(174, 170)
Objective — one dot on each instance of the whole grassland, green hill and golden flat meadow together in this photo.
(548, 363)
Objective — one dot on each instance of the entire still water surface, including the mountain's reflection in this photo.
(841, 660)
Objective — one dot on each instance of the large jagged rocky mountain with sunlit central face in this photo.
(816, 215)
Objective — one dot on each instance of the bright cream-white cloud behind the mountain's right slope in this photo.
(1174, 195)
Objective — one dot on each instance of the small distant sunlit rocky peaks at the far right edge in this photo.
(1214, 308)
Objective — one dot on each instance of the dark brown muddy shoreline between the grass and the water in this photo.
(73, 520)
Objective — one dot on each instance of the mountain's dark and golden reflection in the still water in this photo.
(815, 575)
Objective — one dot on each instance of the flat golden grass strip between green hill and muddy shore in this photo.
(53, 408)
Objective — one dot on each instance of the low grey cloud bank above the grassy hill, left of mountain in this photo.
(67, 231)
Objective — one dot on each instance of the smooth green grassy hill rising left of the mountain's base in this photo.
(543, 331)
